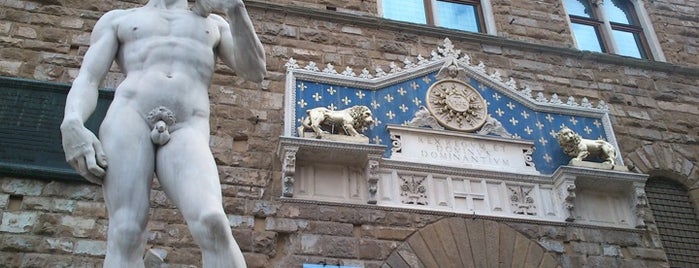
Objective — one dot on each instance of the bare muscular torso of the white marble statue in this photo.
(168, 59)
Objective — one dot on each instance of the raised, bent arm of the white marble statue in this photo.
(239, 47)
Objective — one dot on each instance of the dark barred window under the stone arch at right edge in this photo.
(676, 220)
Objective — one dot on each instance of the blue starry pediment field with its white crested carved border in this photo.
(395, 93)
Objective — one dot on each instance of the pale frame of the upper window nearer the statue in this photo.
(484, 19)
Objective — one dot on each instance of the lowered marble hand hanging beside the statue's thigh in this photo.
(84, 152)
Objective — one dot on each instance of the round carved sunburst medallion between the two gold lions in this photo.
(456, 105)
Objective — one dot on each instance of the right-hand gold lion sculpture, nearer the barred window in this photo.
(578, 148)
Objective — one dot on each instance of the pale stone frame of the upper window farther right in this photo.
(648, 45)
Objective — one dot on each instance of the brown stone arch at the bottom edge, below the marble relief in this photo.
(459, 242)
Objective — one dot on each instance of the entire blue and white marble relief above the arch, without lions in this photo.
(498, 156)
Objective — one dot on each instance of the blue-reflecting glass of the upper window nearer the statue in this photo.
(465, 15)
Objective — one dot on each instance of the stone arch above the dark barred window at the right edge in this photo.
(662, 160)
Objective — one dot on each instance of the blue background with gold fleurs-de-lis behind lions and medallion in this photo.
(397, 104)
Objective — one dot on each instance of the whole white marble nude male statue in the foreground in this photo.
(167, 53)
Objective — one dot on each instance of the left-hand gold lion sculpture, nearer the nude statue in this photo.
(350, 121)
